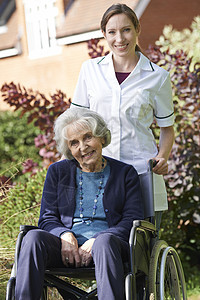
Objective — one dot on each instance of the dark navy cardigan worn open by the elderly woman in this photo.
(122, 200)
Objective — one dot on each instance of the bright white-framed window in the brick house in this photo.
(40, 18)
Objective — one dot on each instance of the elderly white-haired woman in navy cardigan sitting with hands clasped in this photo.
(88, 205)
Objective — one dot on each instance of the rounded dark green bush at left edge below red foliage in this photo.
(16, 141)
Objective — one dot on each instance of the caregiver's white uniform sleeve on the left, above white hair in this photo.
(80, 98)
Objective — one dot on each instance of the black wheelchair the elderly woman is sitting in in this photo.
(154, 271)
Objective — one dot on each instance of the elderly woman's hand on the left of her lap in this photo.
(69, 250)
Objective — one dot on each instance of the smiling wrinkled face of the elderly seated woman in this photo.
(85, 148)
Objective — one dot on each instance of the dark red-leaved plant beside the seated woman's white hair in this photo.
(42, 112)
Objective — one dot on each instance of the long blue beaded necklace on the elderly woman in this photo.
(100, 187)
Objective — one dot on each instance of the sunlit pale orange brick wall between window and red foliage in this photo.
(46, 74)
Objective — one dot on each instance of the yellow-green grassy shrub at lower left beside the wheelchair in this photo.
(19, 205)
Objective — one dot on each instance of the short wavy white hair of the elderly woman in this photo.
(79, 118)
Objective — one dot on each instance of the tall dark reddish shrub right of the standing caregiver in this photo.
(183, 178)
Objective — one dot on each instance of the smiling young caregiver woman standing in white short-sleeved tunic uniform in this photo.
(129, 91)
